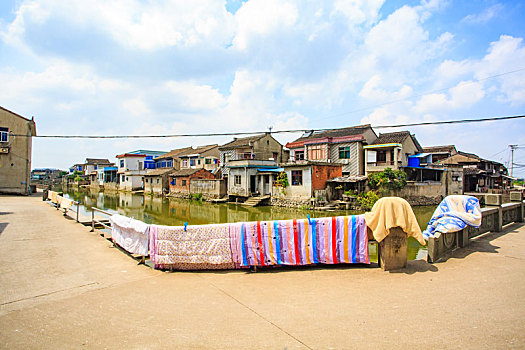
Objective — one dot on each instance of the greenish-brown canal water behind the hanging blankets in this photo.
(175, 212)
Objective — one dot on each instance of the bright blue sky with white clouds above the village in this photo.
(124, 67)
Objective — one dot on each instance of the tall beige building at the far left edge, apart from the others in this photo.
(15, 152)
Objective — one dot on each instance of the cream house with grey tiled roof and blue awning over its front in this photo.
(391, 150)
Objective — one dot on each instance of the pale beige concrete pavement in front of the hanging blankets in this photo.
(62, 286)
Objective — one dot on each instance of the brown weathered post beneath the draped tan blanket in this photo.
(393, 250)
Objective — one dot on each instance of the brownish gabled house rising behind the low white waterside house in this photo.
(258, 147)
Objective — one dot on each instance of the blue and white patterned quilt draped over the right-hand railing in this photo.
(453, 214)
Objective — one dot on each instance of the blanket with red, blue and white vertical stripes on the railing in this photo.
(331, 240)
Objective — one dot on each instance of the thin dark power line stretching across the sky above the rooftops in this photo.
(461, 121)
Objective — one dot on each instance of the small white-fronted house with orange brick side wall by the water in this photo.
(307, 181)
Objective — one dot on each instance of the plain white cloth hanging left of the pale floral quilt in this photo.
(132, 235)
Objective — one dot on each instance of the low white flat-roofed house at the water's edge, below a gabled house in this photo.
(251, 177)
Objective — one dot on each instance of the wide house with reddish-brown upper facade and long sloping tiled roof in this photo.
(341, 146)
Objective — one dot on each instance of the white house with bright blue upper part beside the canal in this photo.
(132, 167)
